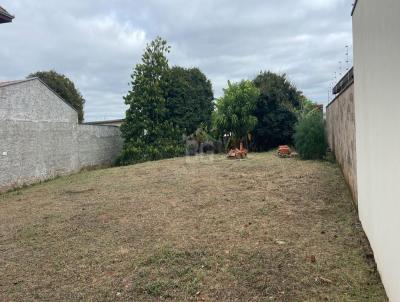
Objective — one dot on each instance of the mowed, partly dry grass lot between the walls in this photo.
(200, 228)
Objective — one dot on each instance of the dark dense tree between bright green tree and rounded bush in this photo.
(275, 111)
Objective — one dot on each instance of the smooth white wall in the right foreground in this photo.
(376, 26)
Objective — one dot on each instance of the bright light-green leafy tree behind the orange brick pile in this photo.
(233, 115)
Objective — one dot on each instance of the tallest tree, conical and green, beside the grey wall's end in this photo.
(147, 132)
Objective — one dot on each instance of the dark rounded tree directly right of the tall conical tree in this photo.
(189, 99)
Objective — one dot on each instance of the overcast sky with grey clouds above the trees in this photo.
(97, 42)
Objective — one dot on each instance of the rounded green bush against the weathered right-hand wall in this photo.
(310, 138)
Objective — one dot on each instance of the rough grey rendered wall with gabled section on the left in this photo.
(40, 137)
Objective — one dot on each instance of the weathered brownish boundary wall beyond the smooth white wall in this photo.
(340, 121)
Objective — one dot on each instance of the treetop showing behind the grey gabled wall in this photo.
(64, 87)
